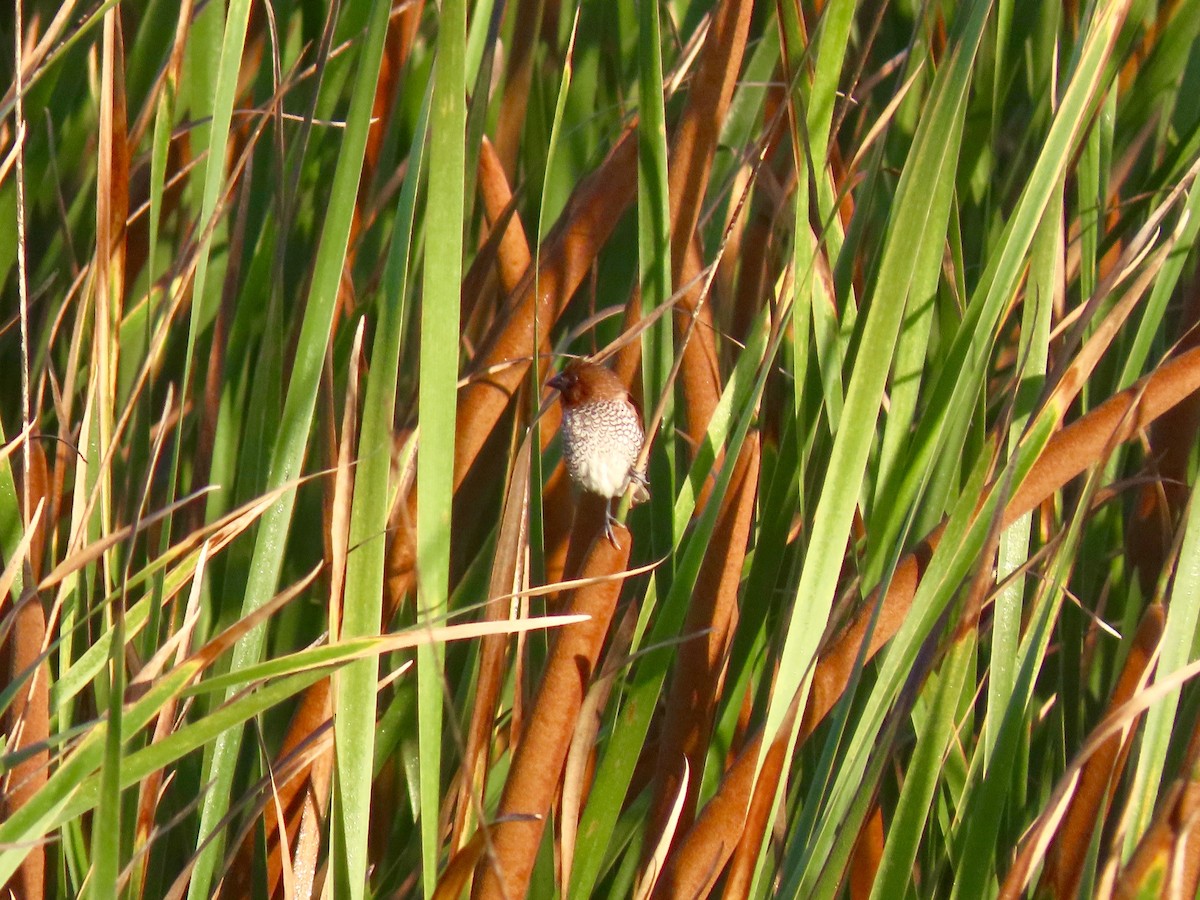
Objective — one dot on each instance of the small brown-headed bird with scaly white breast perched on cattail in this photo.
(602, 435)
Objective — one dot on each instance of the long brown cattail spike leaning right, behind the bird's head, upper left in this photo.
(567, 257)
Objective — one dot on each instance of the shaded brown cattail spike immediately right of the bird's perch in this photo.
(700, 664)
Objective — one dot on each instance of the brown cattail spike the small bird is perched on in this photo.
(538, 764)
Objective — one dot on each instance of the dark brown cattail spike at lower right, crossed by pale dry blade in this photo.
(1099, 781)
